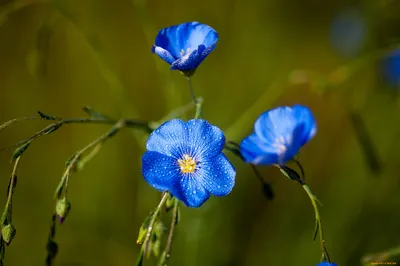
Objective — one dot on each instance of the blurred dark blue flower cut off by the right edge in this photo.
(391, 68)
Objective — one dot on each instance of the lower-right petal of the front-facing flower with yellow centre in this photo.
(217, 175)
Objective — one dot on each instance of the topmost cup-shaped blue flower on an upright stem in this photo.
(186, 45)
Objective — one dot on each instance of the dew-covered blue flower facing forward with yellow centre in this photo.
(186, 159)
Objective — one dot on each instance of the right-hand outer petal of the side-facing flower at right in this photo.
(305, 116)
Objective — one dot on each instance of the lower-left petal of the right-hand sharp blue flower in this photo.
(257, 152)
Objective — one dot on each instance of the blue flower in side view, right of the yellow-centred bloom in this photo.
(279, 135)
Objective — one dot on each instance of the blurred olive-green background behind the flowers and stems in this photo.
(58, 56)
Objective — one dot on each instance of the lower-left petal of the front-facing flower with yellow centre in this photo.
(159, 170)
